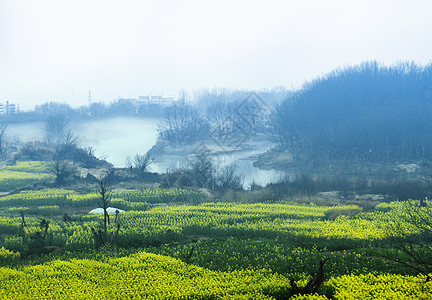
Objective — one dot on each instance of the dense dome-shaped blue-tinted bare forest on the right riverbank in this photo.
(369, 112)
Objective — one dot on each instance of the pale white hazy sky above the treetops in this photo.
(57, 50)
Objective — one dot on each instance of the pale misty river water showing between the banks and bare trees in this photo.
(115, 139)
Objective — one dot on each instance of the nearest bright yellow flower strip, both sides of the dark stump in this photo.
(150, 276)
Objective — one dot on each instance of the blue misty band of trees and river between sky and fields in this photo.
(361, 122)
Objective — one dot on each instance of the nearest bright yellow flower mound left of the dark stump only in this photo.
(134, 276)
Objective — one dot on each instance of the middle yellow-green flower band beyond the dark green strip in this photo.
(143, 228)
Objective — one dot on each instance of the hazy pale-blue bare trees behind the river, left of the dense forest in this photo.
(215, 114)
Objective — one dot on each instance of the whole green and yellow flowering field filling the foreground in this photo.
(181, 244)
